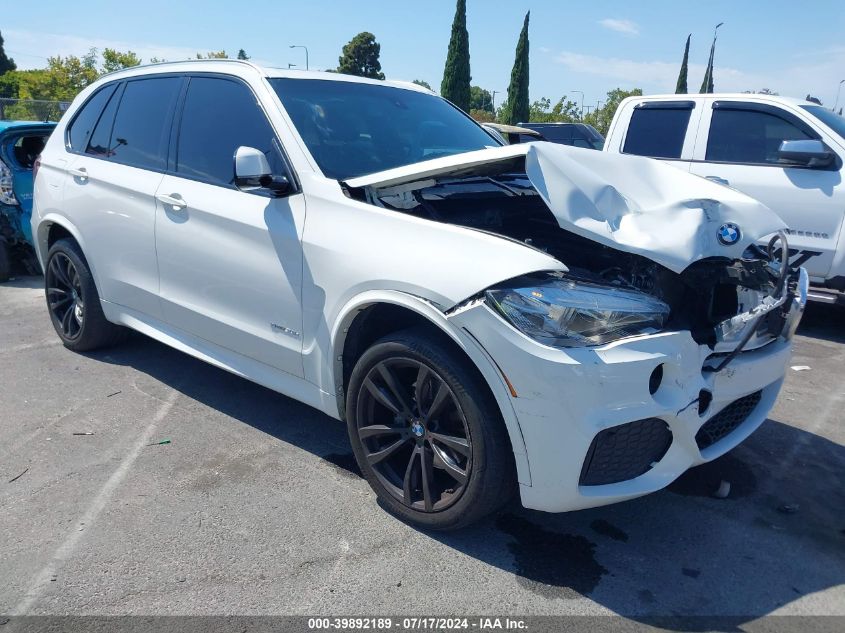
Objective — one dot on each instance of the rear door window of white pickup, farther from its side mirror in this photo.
(657, 130)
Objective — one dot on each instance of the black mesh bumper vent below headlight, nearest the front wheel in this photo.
(625, 451)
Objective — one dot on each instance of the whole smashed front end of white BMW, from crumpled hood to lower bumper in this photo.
(660, 344)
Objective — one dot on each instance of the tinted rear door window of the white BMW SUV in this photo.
(141, 130)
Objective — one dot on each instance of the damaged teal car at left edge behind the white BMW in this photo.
(20, 144)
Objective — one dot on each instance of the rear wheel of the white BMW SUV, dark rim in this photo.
(73, 302)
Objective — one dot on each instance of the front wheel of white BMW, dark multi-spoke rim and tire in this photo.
(455, 436)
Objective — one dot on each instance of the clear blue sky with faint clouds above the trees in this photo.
(791, 47)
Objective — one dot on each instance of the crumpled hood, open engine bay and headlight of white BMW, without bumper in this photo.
(647, 247)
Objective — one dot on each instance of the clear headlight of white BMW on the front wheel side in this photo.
(565, 312)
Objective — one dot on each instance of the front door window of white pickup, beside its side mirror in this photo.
(747, 135)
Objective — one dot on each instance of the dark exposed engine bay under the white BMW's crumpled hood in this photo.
(702, 297)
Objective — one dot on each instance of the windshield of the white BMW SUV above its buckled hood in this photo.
(352, 129)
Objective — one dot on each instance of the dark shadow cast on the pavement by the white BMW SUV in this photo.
(682, 553)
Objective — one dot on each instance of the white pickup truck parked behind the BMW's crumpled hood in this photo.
(787, 153)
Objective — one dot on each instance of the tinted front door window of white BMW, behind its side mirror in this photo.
(219, 116)
